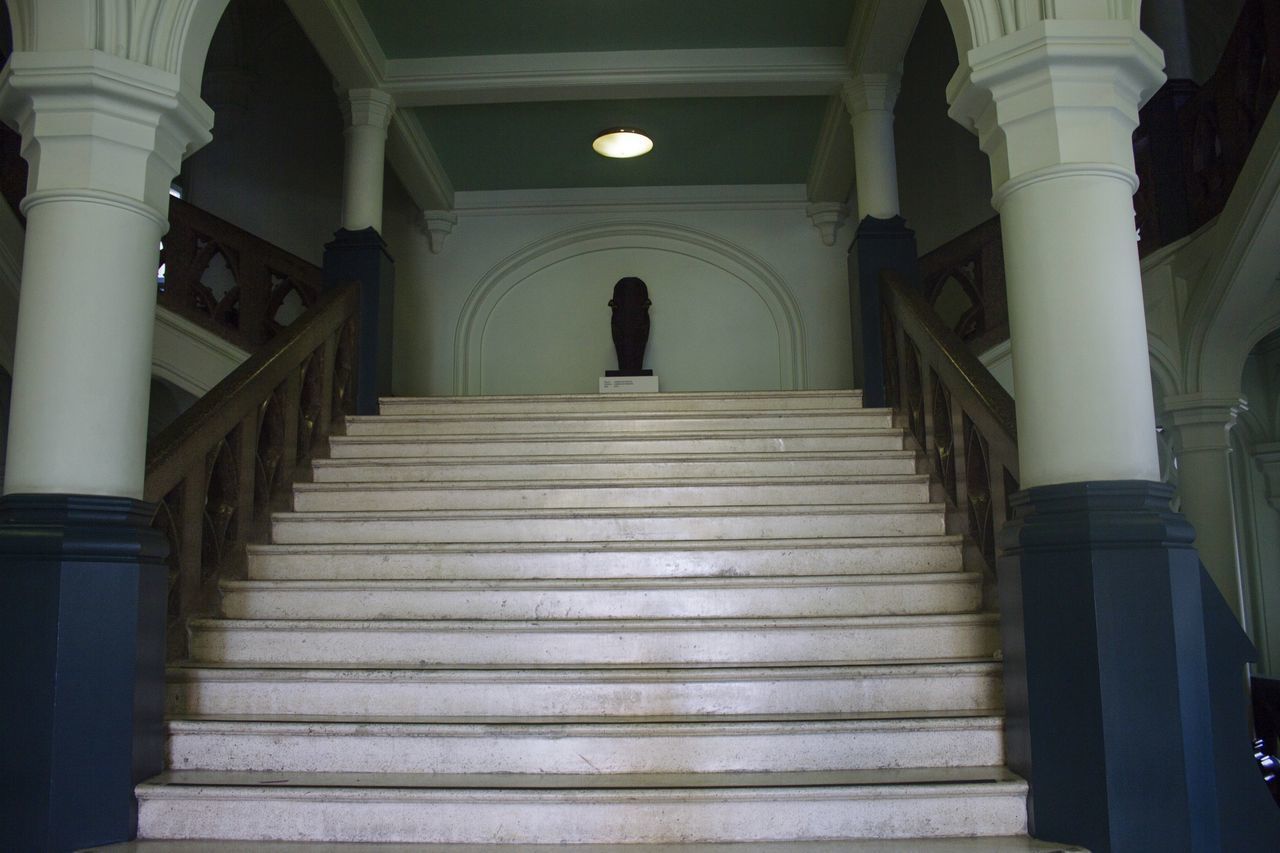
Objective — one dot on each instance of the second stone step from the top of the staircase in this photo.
(618, 423)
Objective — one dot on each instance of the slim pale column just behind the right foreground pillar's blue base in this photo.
(1200, 426)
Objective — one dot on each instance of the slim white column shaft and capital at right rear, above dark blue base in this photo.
(870, 101)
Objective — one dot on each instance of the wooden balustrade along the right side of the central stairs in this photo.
(956, 412)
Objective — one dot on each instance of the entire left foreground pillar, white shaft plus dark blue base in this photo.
(84, 578)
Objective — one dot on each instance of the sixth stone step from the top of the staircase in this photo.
(610, 526)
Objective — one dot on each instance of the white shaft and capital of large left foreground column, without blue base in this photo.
(104, 138)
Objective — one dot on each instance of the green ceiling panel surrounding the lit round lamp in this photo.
(697, 142)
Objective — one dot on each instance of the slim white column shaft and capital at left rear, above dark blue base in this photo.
(368, 113)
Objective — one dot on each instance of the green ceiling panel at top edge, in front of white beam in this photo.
(409, 29)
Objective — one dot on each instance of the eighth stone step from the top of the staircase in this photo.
(615, 599)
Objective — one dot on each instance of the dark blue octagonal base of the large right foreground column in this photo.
(1124, 678)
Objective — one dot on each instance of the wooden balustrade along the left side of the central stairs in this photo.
(217, 472)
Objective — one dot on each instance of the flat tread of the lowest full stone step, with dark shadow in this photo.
(683, 784)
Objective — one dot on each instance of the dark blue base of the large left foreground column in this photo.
(84, 587)
